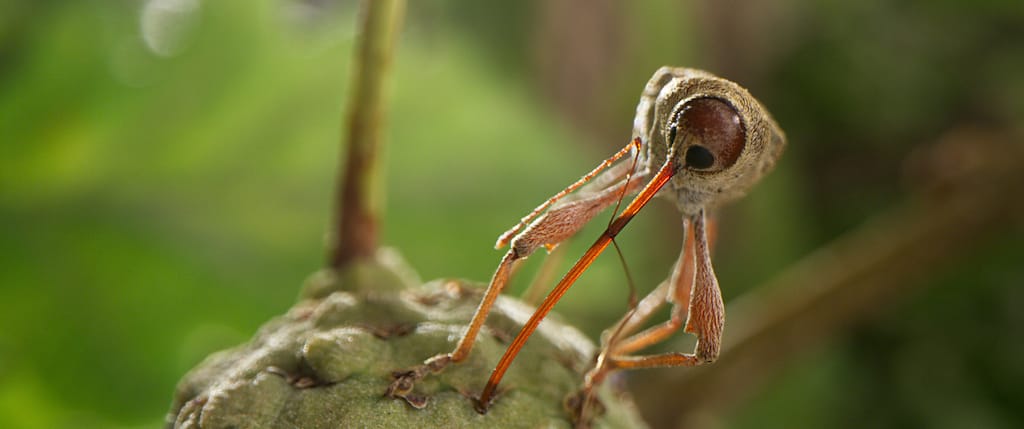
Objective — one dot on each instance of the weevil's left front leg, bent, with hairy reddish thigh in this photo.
(533, 232)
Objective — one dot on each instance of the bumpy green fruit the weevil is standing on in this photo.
(328, 362)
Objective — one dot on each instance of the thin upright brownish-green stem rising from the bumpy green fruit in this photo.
(360, 198)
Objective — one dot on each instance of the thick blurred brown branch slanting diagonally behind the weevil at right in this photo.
(972, 189)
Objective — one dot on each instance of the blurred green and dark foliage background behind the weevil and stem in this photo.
(167, 167)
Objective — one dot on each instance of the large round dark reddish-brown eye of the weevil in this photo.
(712, 134)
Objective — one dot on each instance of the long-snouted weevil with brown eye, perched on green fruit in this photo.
(699, 141)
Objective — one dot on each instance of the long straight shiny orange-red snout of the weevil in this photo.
(657, 183)
